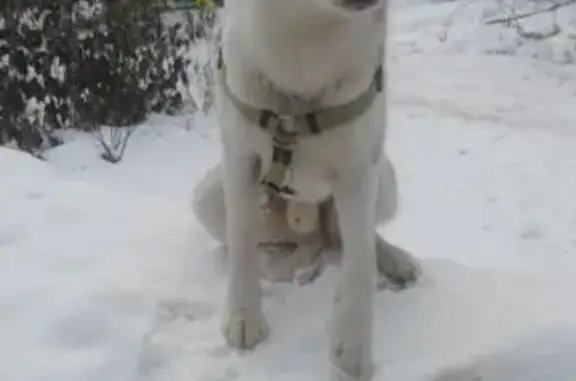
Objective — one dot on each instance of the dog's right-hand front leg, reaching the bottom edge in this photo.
(351, 337)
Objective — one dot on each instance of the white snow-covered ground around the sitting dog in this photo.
(105, 275)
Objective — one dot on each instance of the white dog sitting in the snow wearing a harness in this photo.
(302, 115)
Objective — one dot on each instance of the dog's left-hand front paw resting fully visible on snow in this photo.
(245, 328)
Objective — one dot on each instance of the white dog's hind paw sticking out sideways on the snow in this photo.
(400, 269)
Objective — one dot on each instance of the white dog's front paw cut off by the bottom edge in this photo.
(350, 360)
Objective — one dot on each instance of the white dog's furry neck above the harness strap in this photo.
(297, 61)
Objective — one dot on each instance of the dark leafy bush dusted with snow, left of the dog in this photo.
(86, 63)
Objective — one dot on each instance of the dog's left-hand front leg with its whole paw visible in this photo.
(244, 324)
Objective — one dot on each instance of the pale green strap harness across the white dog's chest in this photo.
(286, 129)
